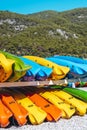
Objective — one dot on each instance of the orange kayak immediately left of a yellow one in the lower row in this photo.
(18, 111)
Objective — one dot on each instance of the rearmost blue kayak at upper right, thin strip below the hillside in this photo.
(72, 58)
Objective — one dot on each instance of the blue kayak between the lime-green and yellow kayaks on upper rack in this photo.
(37, 71)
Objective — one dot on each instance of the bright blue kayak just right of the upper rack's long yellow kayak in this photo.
(75, 68)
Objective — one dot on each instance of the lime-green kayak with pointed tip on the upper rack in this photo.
(19, 68)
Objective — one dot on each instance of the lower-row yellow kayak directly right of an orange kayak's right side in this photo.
(67, 110)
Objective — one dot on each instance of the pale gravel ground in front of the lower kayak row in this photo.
(74, 123)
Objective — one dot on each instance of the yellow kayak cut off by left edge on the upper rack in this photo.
(5, 67)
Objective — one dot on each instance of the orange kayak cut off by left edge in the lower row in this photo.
(5, 114)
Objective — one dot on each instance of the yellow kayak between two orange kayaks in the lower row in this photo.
(36, 114)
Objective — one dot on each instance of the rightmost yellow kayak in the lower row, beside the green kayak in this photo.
(81, 107)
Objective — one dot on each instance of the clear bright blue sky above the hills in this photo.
(34, 6)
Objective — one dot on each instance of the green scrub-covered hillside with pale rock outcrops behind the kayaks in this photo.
(45, 33)
